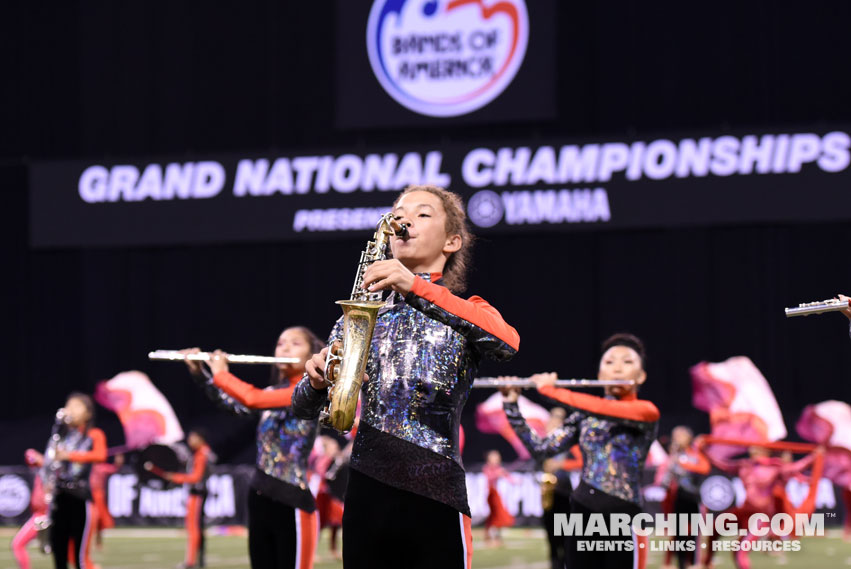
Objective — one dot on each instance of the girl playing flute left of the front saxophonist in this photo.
(281, 510)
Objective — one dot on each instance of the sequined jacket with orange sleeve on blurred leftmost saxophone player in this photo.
(85, 448)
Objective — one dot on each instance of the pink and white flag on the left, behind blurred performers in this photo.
(144, 412)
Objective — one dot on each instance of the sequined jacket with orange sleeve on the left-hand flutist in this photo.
(284, 441)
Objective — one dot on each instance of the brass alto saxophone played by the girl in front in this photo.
(346, 362)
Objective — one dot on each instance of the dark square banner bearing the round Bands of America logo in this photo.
(444, 62)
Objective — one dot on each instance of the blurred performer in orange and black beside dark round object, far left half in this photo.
(196, 478)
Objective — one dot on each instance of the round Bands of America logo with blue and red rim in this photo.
(445, 58)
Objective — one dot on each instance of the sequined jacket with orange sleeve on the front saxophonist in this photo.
(423, 358)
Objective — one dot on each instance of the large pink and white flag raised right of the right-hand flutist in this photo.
(739, 401)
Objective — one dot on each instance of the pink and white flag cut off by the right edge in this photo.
(829, 423)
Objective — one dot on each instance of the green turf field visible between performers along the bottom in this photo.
(163, 549)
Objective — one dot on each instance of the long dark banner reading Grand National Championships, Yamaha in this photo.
(508, 187)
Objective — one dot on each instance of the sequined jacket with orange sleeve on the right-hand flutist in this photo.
(614, 436)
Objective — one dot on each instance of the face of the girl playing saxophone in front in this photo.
(428, 245)
